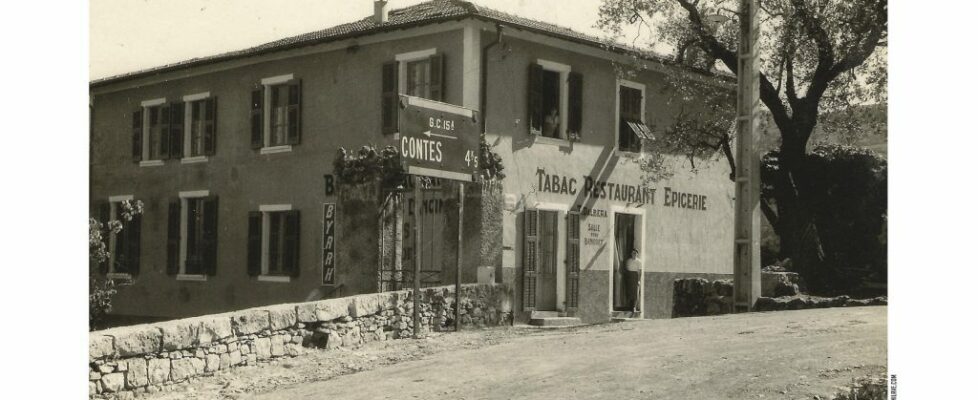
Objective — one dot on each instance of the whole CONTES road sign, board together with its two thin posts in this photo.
(437, 140)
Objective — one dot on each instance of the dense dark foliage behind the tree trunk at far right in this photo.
(846, 191)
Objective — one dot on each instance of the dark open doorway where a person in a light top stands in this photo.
(625, 289)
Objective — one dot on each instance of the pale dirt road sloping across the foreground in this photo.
(782, 355)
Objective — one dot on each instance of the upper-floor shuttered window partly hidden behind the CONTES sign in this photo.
(418, 73)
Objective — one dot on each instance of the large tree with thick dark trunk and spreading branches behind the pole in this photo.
(818, 57)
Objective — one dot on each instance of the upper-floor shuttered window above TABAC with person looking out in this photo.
(555, 101)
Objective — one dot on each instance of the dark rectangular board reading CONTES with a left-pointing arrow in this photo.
(437, 139)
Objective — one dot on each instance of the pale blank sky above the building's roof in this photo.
(130, 35)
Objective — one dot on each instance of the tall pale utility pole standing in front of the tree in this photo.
(747, 228)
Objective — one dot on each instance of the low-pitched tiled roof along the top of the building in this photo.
(419, 14)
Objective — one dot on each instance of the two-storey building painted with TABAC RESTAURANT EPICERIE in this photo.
(232, 156)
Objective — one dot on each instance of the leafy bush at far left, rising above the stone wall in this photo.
(100, 288)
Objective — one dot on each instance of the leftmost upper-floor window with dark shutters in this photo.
(157, 132)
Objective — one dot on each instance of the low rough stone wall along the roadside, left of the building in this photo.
(147, 357)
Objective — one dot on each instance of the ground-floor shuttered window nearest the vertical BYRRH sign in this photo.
(273, 243)
